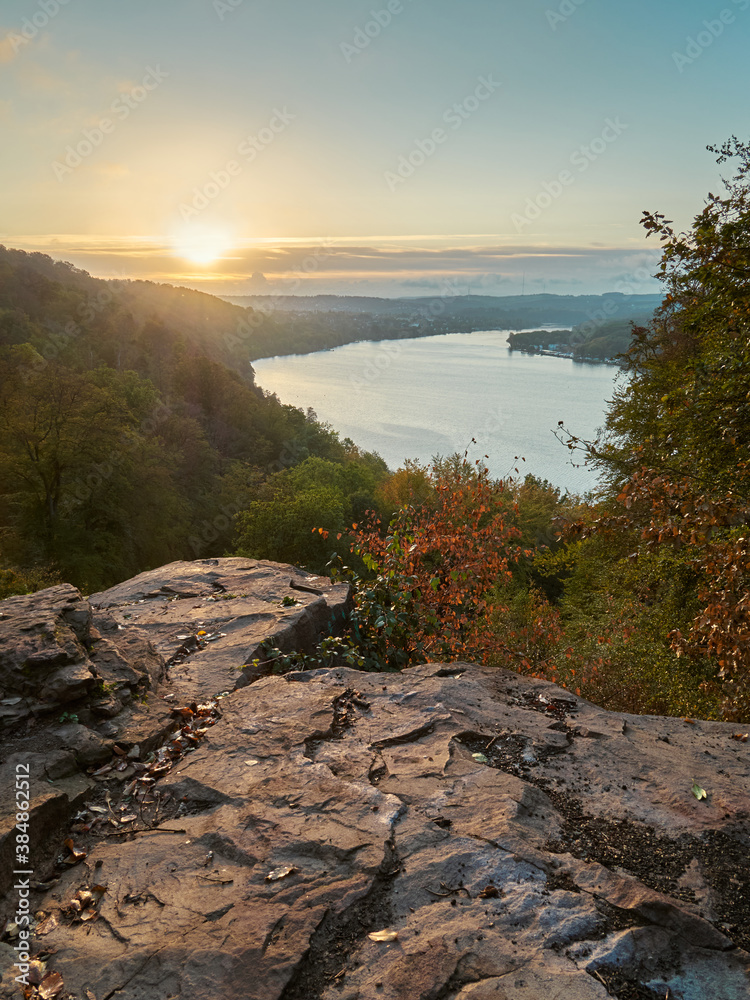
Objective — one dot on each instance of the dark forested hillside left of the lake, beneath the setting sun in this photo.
(131, 430)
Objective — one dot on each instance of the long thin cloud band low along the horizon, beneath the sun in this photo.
(392, 269)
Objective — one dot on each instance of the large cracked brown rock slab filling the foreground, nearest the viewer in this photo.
(513, 842)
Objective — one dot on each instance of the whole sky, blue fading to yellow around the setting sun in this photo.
(384, 147)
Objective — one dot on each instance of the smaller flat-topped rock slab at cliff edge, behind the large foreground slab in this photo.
(238, 604)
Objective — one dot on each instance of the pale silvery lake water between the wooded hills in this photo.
(432, 395)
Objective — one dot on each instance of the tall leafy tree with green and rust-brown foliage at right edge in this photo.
(676, 452)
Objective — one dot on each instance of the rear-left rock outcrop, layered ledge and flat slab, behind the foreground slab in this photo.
(80, 678)
